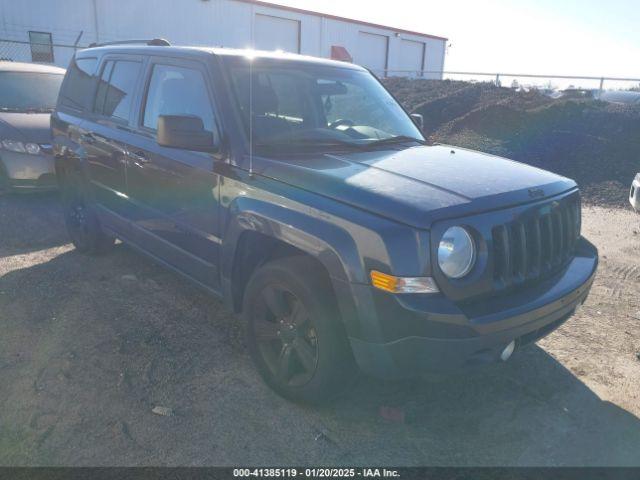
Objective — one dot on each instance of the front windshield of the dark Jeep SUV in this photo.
(294, 106)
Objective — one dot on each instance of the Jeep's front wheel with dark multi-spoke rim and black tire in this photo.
(294, 331)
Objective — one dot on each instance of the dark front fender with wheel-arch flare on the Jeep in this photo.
(348, 241)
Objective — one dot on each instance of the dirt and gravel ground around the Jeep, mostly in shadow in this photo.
(90, 346)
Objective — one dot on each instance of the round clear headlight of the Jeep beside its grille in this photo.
(456, 252)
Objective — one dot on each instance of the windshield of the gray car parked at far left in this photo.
(29, 91)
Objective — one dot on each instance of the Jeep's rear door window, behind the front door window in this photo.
(115, 90)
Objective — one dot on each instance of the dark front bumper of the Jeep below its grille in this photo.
(462, 335)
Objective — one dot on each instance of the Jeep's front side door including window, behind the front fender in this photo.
(174, 192)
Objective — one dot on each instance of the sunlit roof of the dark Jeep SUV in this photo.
(222, 52)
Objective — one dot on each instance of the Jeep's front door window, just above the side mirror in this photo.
(177, 91)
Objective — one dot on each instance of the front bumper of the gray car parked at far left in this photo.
(28, 172)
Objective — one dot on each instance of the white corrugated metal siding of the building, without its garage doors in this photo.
(229, 23)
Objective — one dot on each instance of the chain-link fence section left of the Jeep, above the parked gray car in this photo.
(36, 52)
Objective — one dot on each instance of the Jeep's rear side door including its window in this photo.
(104, 134)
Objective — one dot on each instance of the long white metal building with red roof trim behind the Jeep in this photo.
(43, 25)
